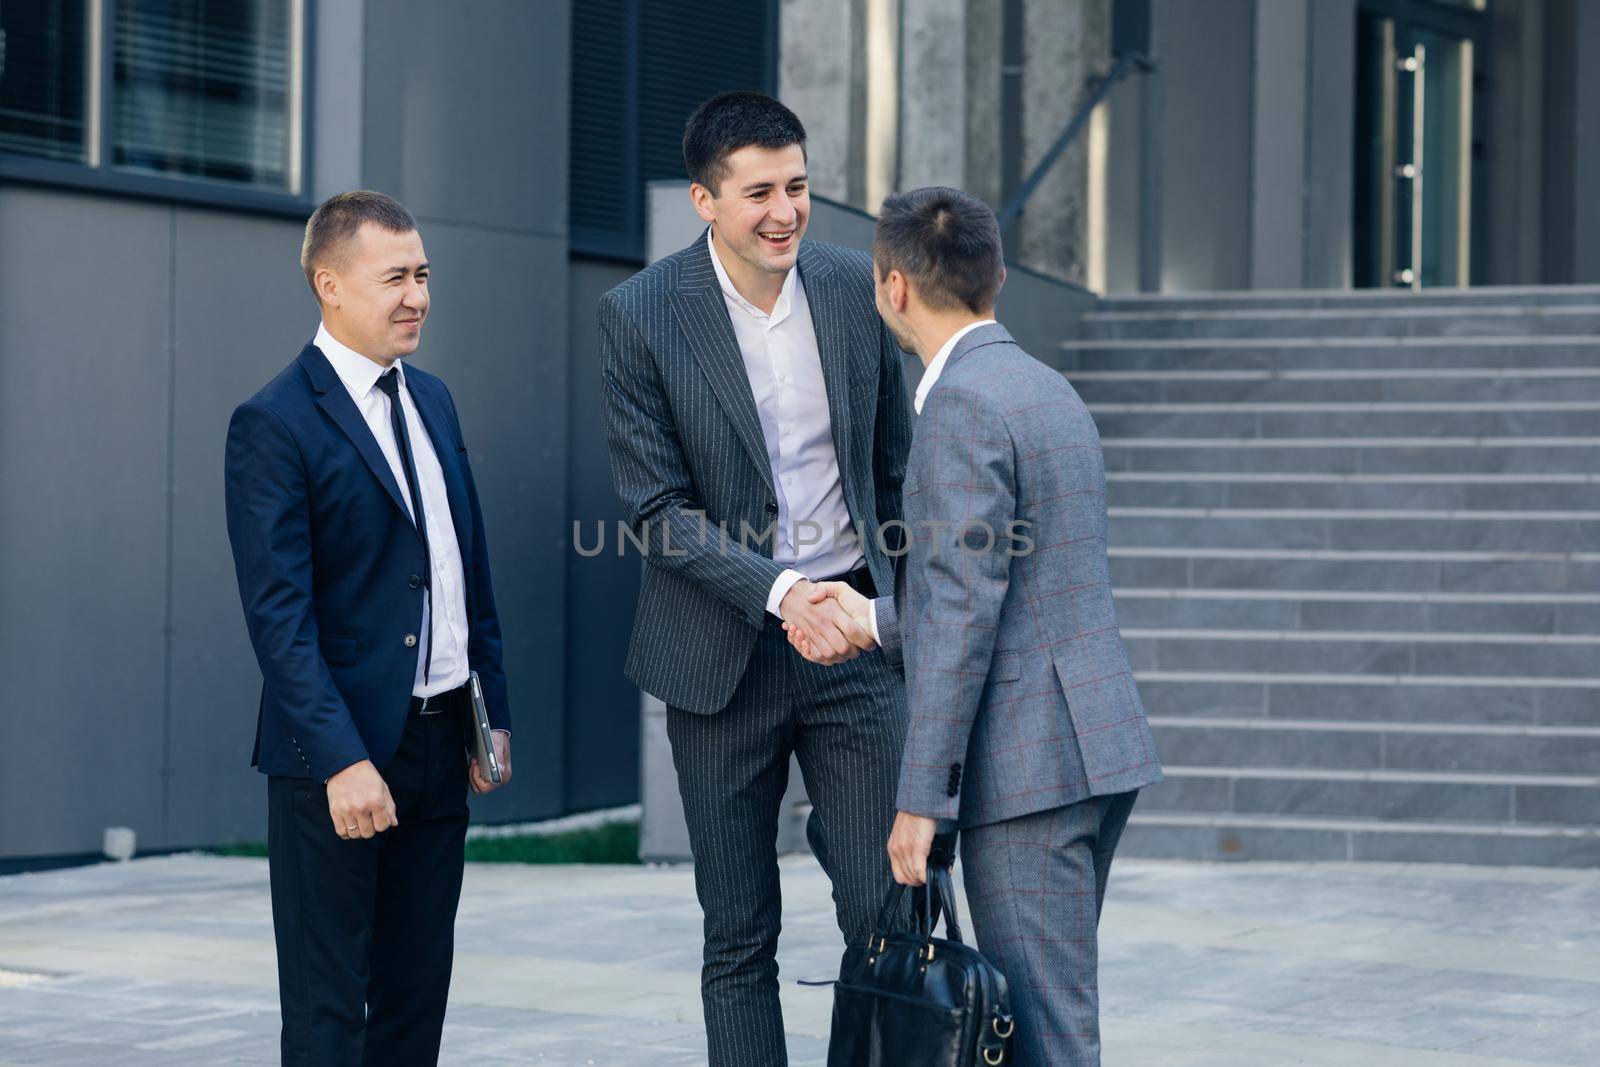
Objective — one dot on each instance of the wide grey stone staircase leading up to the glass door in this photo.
(1356, 548)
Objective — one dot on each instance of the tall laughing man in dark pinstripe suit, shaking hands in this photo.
(758, 420)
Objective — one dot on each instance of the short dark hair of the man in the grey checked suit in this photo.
(946, 244)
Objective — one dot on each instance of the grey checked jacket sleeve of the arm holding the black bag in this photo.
(961, 570)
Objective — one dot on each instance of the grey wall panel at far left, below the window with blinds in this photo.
(84, 422)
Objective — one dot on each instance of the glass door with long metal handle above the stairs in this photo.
(1415, 153)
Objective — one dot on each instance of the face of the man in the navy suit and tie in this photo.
(374, 292)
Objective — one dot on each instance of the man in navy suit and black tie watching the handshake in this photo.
(366, 581)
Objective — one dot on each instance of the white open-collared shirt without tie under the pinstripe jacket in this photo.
(785, 367)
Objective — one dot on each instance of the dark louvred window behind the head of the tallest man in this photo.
(639, 70)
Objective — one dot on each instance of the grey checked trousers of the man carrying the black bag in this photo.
(1036, 887)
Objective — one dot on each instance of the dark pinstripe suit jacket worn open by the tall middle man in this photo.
(690, 462)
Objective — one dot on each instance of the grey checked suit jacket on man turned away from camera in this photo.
(1018, 687)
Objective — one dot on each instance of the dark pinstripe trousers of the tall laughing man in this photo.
(847, 727)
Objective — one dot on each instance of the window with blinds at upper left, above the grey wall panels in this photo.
(193, 90)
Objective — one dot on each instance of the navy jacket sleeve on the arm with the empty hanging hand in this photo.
(270, 529)
